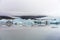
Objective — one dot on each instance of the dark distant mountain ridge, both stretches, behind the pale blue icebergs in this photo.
(23, 17)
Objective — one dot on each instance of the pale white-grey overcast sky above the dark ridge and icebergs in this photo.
(30, 7)
